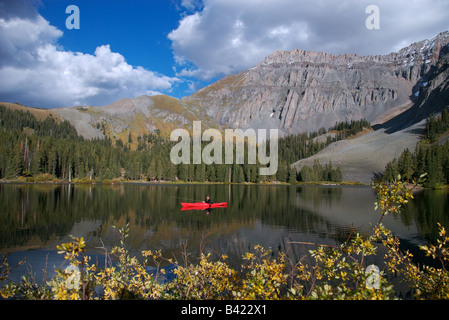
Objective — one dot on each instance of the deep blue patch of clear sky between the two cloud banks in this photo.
(139, 31)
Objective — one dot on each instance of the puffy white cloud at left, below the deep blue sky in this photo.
(36, 71)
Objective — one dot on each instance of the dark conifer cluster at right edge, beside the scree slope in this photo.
(429, 156)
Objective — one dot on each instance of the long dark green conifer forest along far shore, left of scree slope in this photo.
(29, 148)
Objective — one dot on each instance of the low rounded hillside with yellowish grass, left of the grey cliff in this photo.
(135, 117)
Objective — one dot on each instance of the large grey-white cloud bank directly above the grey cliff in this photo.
(227, 36)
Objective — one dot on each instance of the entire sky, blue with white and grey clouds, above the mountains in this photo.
(124, 49)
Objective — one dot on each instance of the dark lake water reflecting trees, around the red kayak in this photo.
(36, 218)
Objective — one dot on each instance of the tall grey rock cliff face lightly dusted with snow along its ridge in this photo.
(298, 90)
